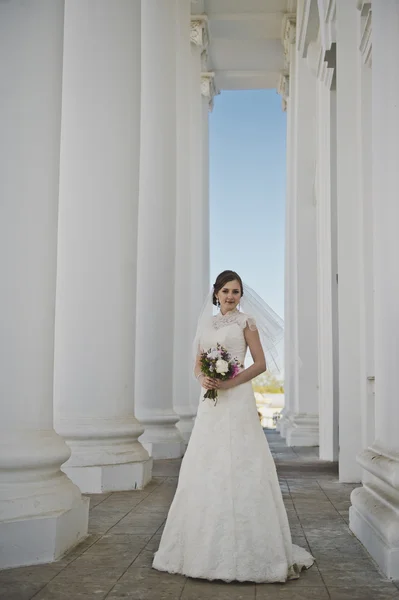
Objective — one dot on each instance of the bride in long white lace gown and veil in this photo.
(227, 520)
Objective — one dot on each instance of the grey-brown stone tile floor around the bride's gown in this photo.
(114, 562)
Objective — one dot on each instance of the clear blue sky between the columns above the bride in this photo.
(247, 190)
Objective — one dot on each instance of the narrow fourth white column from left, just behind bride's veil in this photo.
(183, 355)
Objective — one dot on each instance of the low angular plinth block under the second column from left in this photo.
(111, 478)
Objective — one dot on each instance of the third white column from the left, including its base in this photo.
(157, 232)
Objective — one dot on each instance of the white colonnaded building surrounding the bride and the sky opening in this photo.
(104, 239)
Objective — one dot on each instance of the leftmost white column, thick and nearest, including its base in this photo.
(42, 512)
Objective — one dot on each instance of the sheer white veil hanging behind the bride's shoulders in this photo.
(269, 324)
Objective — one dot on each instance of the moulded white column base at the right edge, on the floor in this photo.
(374, 514)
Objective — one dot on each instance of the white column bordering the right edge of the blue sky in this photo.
(302, 429)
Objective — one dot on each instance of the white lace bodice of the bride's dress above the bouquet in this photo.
(228, 330)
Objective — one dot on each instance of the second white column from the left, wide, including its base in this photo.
(96, 287)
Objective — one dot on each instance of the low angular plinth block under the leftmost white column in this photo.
(44, 538)
